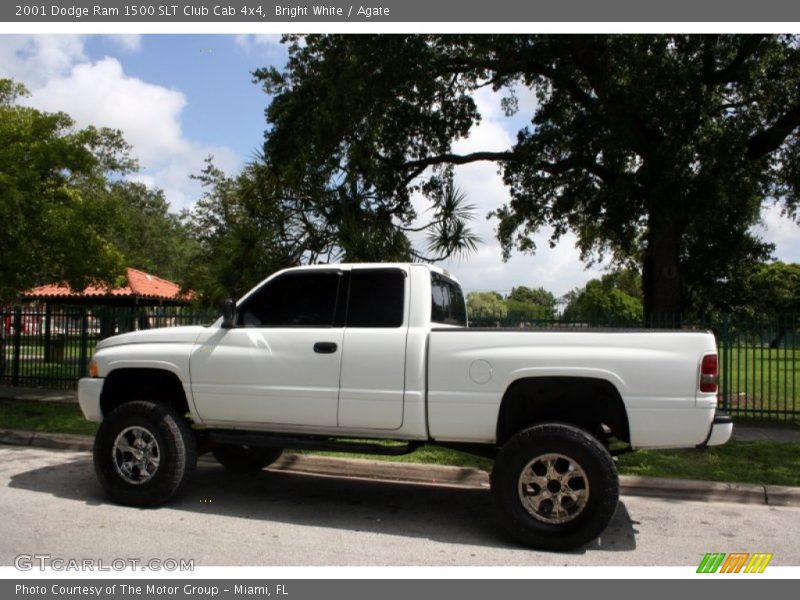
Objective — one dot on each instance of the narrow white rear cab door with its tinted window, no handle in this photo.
(373, 360)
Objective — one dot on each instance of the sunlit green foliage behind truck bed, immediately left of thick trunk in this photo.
(614, 298)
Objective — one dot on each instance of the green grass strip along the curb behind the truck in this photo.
(741, 462)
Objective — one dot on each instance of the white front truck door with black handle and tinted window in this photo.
(281, 364)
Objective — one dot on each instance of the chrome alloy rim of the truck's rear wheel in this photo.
(553, 488)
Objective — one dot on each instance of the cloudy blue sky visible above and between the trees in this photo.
(180, 98)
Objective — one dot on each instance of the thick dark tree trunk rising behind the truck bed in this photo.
(662, 284)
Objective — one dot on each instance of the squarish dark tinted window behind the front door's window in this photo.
(377, 297)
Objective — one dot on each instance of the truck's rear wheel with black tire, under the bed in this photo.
(556, 486)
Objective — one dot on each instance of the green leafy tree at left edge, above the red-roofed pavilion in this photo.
(54, 220)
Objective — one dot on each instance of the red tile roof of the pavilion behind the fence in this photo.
(140, 285)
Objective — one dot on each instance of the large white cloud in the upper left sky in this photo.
(101, 93)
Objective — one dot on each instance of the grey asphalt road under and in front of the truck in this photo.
(51, 504)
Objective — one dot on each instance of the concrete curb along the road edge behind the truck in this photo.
(460, 477)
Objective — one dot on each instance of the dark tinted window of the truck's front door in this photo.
(304, 299)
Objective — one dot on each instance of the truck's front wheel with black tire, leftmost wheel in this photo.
(172, 443)
